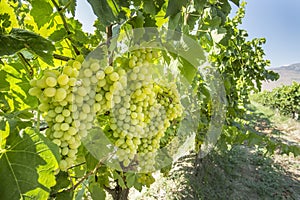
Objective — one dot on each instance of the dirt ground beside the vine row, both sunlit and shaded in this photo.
(240, 173)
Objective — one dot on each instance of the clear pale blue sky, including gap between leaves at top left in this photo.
(276, 20)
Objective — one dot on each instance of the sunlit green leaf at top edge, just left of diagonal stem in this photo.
(41, 12)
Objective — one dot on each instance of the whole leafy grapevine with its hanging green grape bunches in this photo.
(43, 47)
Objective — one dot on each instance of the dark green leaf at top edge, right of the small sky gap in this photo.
(103, 11)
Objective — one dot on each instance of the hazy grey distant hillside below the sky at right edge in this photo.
(288, 74)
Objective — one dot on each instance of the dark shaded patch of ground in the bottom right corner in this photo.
(241, 173)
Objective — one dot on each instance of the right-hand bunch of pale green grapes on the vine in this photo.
(142, 112)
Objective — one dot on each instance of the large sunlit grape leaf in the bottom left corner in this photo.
(27, 166)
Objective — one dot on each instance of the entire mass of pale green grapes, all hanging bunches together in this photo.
(139, 106)
